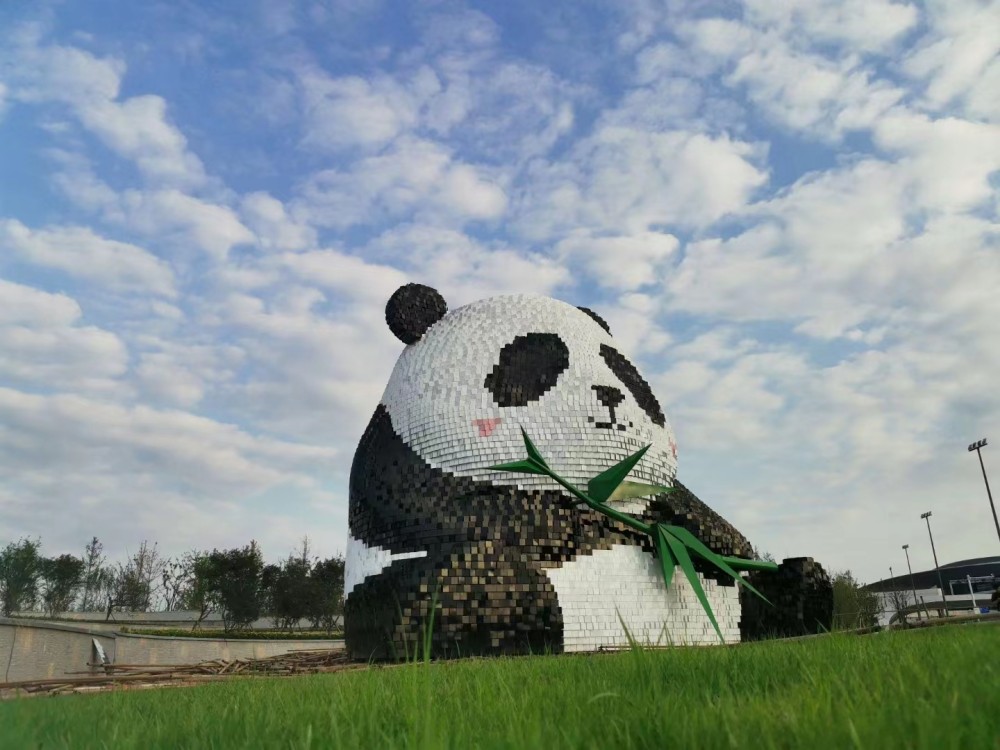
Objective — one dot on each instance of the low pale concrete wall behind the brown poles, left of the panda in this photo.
(32, 650)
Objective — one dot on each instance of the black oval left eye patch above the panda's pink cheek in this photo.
(529, 366)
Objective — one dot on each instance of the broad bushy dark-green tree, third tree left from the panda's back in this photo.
(234, 584)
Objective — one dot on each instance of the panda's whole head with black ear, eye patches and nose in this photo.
(470, 379)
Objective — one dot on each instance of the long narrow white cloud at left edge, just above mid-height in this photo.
(80, 252)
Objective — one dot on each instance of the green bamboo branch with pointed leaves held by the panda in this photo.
(674, 544)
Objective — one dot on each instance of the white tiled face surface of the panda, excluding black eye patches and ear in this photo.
(437, 393)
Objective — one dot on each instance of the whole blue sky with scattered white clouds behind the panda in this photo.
(786, 210)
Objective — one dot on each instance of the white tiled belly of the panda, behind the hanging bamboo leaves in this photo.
(597, 592)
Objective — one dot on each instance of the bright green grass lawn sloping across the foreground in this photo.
(938, 688)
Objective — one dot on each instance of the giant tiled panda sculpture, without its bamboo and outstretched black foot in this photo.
(511, 563)
